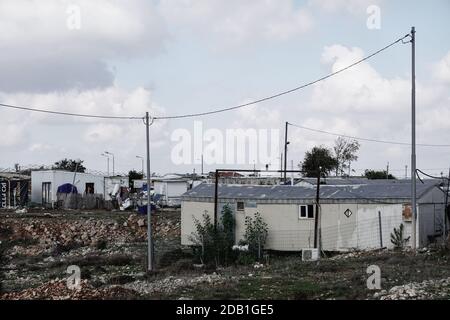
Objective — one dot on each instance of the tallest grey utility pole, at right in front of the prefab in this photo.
(413, 136)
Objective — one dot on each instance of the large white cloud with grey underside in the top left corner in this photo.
(35, 40)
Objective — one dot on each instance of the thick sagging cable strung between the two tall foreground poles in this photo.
(284, 92)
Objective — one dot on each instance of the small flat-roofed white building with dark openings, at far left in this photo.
(45, 183)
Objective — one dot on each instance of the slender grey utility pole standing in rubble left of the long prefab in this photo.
(150, 264)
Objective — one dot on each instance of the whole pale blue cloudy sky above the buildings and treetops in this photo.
(170, 57)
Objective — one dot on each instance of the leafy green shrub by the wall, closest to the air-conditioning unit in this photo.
(256, 231)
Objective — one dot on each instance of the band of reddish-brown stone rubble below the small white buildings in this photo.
(44, 235)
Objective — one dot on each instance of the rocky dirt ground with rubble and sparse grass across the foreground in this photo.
(110, 250)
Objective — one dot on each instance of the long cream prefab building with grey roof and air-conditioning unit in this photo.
(352, 216)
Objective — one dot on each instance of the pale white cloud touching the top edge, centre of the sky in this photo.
(233, 23)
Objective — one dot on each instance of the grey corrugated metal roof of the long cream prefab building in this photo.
(388, 190)
